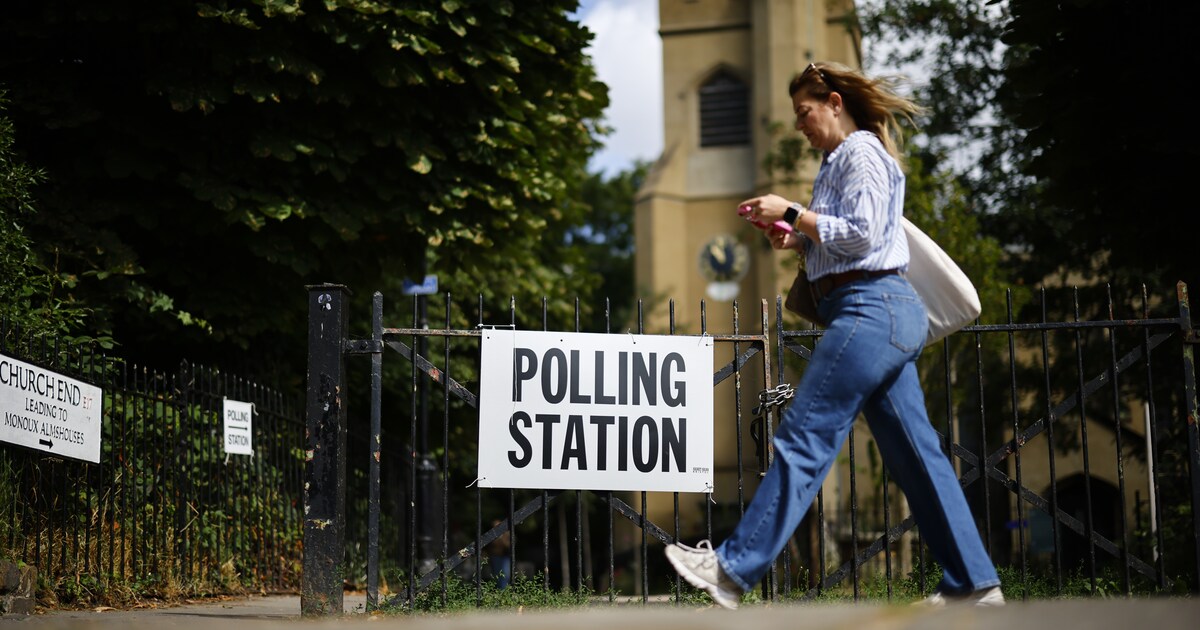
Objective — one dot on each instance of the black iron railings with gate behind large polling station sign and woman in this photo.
(1058, 430)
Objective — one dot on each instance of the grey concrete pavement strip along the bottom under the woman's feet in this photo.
(279, 613)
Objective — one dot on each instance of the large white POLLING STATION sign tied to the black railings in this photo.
(596, 412)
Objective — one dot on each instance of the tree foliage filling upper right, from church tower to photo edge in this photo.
(1035, 98)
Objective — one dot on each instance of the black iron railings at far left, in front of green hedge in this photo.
(165, 509)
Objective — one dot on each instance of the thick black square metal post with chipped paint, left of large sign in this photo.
(325, 475)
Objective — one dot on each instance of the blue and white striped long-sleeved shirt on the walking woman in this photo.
(859, 197)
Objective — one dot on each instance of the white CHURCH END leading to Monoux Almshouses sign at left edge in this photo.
(49, 412)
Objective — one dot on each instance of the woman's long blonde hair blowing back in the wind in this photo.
(873, 103)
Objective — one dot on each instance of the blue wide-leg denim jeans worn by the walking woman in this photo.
(865, 363)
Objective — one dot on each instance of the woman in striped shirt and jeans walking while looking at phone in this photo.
(857, 256)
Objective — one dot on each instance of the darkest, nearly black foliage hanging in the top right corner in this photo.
(1108, 175)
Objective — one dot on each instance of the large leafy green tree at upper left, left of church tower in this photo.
(206, 161)
